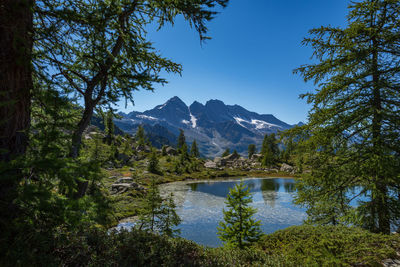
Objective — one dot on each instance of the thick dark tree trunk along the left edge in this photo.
(16, 27)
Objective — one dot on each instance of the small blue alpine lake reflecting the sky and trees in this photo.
(200, 205)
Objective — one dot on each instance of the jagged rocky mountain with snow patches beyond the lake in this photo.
(215, 126)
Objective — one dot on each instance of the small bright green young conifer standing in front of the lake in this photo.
(239, 229)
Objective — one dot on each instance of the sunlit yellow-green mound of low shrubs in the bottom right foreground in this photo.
(330, 246)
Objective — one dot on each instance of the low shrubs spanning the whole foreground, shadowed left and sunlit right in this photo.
(294, 246)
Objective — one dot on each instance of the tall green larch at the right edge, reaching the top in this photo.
(352, 140)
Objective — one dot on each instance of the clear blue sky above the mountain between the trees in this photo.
(255, 47)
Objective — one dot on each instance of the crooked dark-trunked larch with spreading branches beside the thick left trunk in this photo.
(98, 51)
